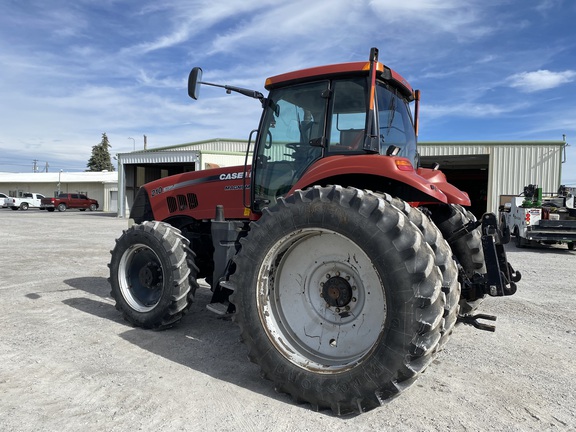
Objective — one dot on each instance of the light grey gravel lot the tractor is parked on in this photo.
(68, 361)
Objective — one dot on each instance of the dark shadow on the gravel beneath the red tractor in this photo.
(202, 341)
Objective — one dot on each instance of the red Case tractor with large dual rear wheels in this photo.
(345, 263)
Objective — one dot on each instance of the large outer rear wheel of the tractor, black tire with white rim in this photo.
(338, 298)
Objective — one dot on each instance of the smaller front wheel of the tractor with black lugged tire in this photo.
(152, 275)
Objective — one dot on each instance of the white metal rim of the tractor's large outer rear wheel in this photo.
(321, 300)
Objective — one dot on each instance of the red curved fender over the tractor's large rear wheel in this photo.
(398, 169)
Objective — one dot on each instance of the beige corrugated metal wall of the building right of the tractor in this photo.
(511, 165)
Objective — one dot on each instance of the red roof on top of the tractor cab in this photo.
(340, 70)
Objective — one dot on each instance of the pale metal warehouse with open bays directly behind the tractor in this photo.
(484, 169)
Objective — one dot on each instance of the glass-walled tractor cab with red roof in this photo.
(319, 113)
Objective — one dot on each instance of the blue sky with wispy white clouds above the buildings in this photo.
(71, 70)
